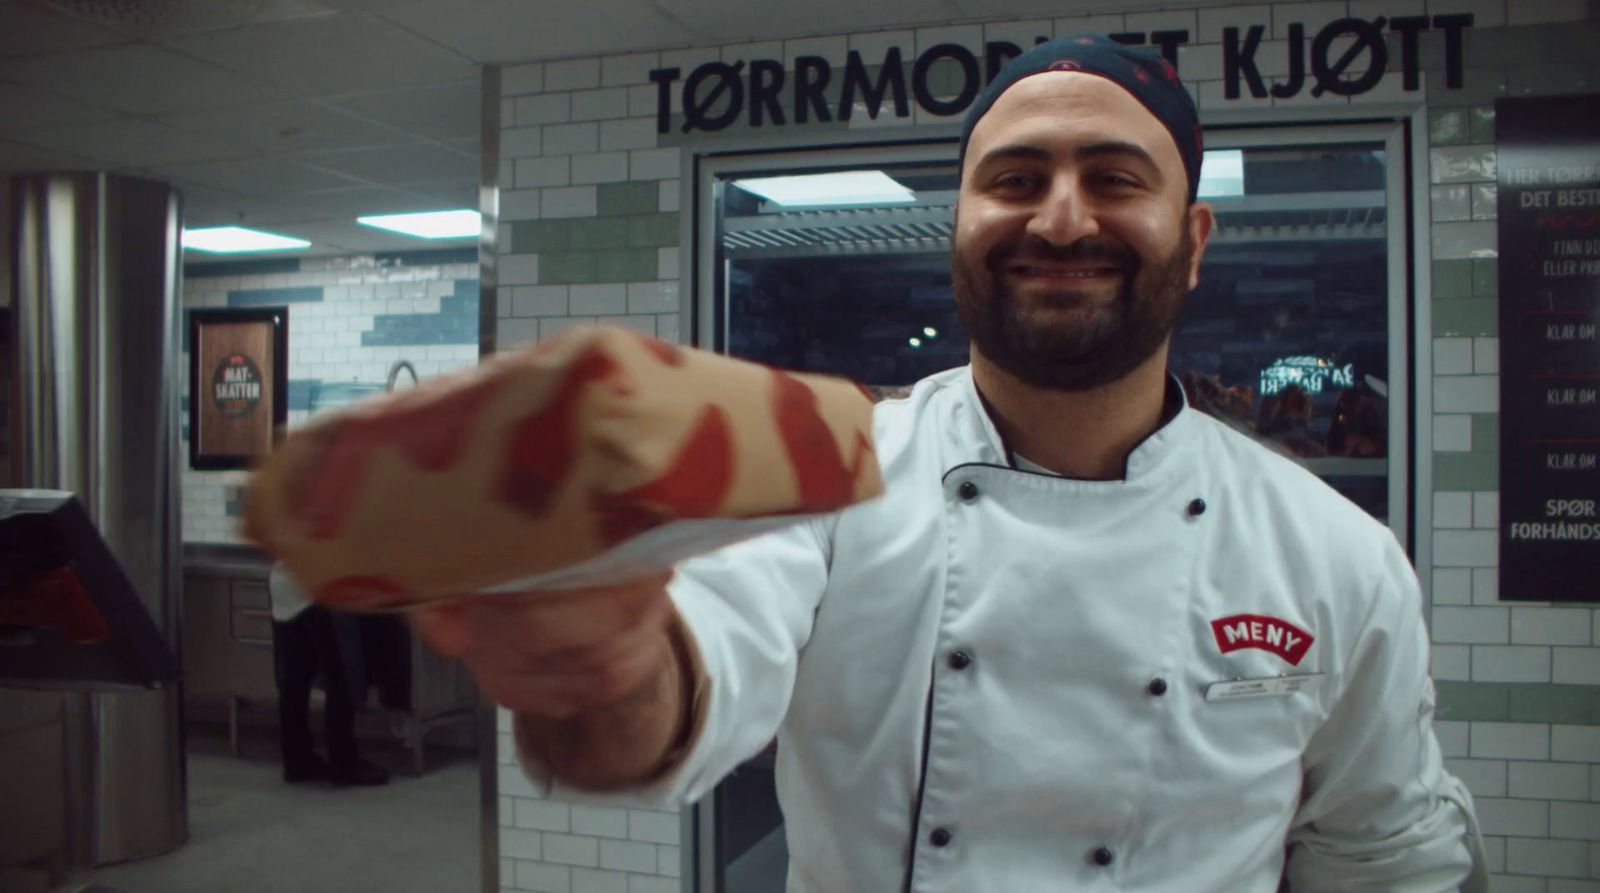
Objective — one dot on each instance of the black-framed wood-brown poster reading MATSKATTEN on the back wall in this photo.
(238, 385)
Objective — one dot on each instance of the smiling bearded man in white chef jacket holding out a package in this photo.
(1090, 639)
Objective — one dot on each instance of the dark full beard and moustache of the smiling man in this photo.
(1073, 358)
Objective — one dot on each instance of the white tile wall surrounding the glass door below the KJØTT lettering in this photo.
(582, 127)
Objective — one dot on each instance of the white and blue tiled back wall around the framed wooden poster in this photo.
(351, 319)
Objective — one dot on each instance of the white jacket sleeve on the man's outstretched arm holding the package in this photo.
(748, 611)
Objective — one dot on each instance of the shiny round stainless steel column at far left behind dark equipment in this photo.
(97, 311)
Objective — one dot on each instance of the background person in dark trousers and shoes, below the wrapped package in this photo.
(305, 644)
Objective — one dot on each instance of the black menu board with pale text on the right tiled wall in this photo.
(1550, 313)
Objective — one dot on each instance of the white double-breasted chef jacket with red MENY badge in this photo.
(996, 681)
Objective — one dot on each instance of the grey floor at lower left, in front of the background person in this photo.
(254, 835)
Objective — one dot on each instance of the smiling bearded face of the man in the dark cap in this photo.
(1074, 244)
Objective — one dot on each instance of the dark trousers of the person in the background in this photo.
(302, 649)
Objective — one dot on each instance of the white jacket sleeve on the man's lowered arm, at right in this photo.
(1378, 811)
